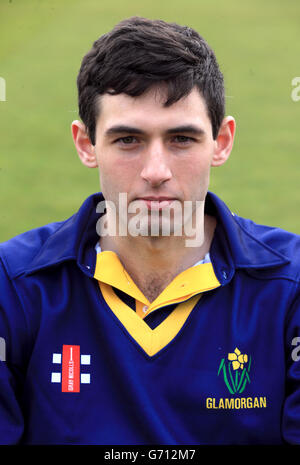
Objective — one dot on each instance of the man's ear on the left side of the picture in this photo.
(84, 147)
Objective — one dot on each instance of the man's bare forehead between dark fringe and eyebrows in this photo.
(148, 110)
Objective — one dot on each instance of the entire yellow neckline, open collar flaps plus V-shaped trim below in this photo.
(185, 290)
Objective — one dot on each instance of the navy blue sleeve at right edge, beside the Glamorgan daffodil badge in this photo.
(291, 409)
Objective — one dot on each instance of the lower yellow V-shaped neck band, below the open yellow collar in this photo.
(150, 340)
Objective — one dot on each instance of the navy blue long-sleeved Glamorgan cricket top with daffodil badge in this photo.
(74, 372)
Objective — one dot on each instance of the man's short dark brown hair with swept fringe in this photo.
(138, 53)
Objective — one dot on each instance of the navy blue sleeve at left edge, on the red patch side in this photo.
(13, 341)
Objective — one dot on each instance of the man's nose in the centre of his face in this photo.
(156, 169)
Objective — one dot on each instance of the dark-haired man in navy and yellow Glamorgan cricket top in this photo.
(179, 324)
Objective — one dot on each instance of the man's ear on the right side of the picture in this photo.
(224, 141)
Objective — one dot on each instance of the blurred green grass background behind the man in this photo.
(42, 43)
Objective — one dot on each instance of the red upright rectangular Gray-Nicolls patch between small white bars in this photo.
(70, 369)
